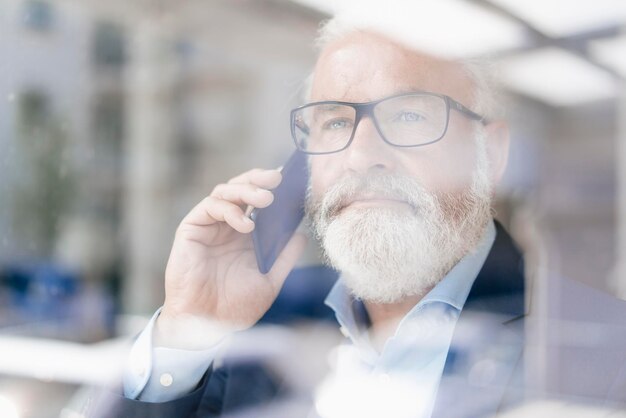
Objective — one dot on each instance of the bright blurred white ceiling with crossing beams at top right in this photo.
(559, 52)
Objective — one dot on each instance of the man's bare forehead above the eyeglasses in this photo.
(363, 66)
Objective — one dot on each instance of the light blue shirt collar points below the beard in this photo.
(452, 290)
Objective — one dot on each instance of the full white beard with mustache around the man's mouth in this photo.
(386, 254)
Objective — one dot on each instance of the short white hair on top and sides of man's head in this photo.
(481, 71)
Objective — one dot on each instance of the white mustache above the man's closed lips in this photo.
(379, 186)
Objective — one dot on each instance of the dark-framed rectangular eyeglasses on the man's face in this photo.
(404, 120)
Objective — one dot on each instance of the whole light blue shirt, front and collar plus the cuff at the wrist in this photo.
(416, 353)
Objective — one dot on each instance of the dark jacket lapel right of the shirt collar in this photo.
(488, 337)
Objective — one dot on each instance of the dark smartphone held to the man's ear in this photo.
(276, 224)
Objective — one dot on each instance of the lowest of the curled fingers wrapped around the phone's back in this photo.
(212, 210)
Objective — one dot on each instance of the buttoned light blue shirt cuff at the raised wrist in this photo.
(159, 374)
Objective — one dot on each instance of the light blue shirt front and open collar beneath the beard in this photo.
(411, 362)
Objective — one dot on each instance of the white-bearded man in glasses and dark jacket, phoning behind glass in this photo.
(404, 157)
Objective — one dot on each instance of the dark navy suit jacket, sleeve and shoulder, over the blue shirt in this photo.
(487, 369)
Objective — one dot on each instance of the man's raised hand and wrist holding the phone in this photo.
(212, 275)
